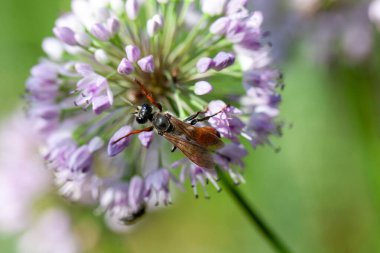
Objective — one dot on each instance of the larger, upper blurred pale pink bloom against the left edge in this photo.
(23, 179)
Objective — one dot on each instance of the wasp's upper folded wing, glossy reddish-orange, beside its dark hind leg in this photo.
(206, 137)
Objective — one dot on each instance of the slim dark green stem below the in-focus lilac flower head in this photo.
(252, 214)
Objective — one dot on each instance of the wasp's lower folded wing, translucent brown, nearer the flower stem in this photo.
(197, 154)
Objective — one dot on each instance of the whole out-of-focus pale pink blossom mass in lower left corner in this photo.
(24, 185)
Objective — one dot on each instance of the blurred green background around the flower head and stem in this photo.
(321, 193)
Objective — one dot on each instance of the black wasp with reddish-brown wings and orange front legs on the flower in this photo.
(196, 143)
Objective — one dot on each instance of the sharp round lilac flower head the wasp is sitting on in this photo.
(84, 95)
